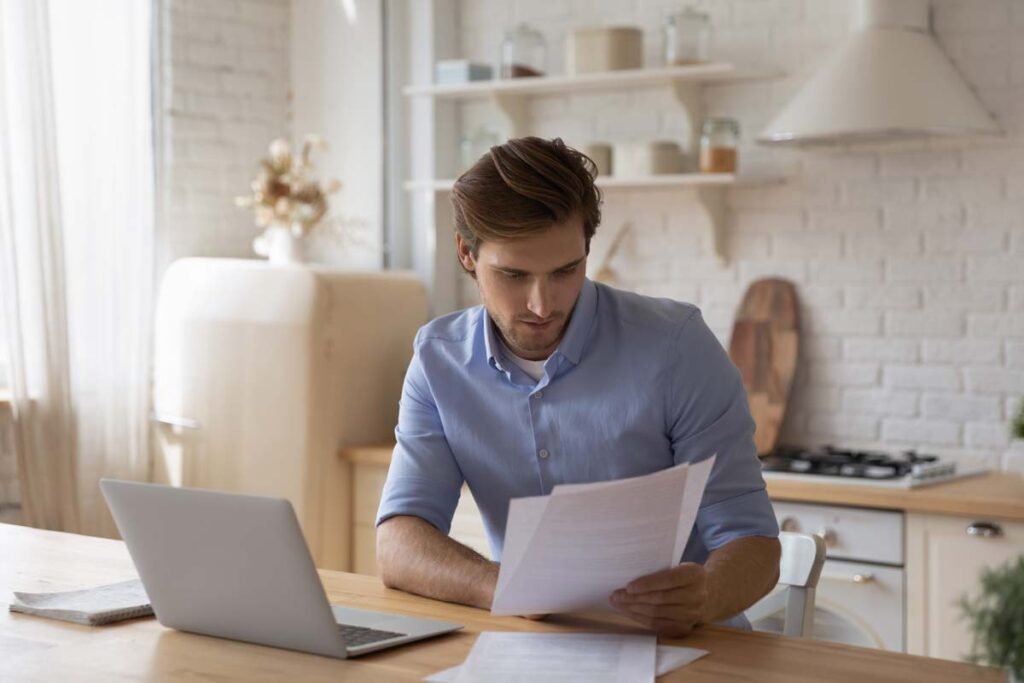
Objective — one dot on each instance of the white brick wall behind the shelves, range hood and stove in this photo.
(910, 262)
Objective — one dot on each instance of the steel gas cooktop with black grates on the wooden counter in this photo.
(906, 471)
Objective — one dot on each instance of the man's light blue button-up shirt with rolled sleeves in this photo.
(636, 386)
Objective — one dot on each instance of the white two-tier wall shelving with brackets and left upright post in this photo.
(435, 124)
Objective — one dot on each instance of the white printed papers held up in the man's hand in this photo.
(571, 550)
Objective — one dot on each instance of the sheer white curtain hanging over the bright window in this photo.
(77, 228)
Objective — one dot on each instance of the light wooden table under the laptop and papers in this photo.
(39, 650)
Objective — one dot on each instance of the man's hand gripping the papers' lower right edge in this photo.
(670, 603)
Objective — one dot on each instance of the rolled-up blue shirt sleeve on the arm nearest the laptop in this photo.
(424, 480)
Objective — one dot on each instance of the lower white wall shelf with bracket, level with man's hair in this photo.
(708, 191)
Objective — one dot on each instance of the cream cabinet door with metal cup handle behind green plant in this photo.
(945, 561)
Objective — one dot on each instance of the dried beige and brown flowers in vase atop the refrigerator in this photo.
(285, 195)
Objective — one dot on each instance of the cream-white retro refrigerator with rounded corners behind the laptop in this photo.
(263, 373)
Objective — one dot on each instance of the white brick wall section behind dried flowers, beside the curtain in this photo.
(226, 91)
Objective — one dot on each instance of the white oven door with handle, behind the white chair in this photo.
(856, 605)
